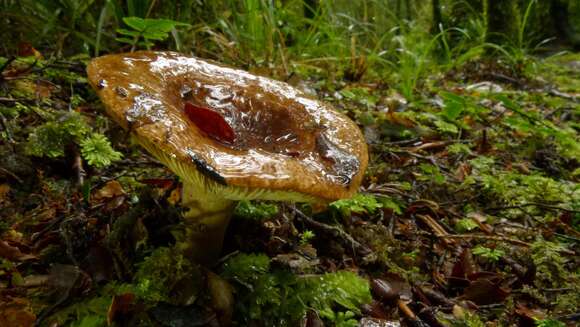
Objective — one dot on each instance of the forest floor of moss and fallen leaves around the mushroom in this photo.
(469, 214)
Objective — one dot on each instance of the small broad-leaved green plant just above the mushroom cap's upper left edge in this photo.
(143, 31)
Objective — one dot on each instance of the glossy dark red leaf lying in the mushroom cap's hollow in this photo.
(211, 123)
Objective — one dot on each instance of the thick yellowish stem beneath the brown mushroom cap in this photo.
(206, 223)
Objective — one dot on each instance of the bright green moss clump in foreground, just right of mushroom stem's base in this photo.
(277, 297)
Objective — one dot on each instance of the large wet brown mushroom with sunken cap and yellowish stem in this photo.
(229, 135)
